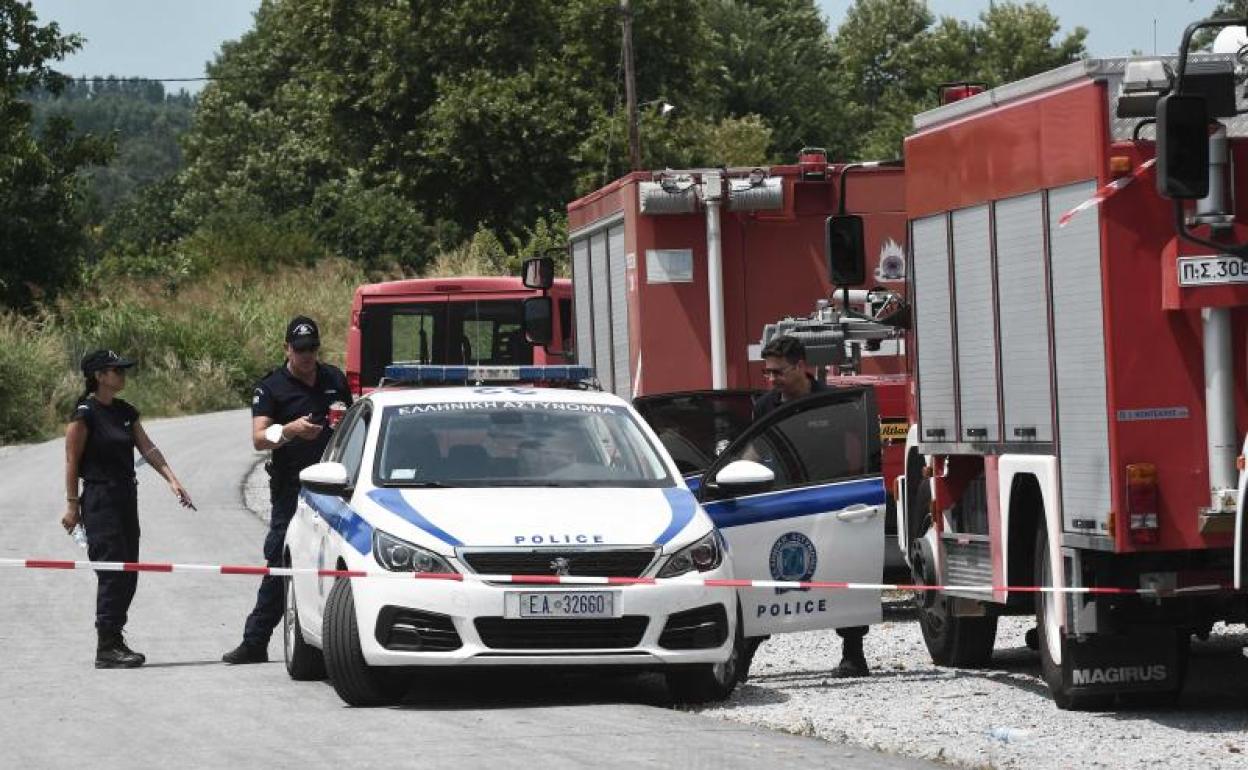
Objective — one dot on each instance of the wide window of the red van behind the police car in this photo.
(461, 331)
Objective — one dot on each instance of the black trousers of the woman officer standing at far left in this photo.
(110, 516)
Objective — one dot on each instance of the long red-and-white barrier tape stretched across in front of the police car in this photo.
(285, 572)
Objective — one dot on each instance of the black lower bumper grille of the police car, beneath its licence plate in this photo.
(562, 633)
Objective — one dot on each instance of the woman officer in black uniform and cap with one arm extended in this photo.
(100, 450)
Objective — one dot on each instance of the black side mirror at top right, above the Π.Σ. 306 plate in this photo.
(1182, 147)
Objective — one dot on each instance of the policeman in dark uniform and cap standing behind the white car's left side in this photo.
(289, 416)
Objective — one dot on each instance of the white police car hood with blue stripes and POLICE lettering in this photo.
(537, 517)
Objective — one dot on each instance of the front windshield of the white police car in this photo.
(517, 444)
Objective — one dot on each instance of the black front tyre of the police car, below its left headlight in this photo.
(358, 683)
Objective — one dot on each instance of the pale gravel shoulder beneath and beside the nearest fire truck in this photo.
(913, 708)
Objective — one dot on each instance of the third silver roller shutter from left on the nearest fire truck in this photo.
(1026, 375)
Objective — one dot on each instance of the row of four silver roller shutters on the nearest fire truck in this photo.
(958, 264)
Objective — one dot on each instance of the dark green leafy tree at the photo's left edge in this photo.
(42, 238)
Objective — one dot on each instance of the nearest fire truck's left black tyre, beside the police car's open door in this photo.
(952, 641)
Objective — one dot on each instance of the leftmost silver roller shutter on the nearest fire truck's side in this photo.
(929, 239)
